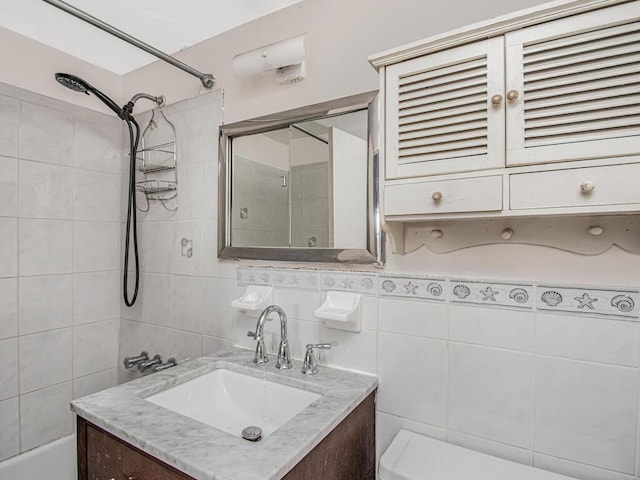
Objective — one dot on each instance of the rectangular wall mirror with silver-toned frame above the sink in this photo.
(302, 185)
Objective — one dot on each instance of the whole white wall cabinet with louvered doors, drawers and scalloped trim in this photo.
(515, 123)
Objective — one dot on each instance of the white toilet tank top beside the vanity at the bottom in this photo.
(416, 457)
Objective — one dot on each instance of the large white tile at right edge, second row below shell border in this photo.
(586, 412)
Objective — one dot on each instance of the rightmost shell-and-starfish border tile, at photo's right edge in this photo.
(590, 300)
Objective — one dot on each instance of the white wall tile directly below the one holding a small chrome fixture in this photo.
(186, 303)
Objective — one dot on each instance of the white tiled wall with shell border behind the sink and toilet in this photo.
(541, 374)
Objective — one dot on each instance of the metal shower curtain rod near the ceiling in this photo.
(208, 80)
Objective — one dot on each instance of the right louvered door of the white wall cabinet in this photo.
(574, 86)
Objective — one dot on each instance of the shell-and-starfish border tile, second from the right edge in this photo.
(518, 295)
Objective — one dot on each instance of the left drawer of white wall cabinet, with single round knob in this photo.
(479, 194)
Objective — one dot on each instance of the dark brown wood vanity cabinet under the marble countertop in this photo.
(347, 453)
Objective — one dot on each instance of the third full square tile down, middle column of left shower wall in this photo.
(45, 246)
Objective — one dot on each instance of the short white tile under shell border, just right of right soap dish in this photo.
(413, 317)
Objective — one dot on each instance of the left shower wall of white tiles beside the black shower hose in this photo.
(60, 177)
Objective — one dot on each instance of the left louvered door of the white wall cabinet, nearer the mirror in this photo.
(439, 112)
